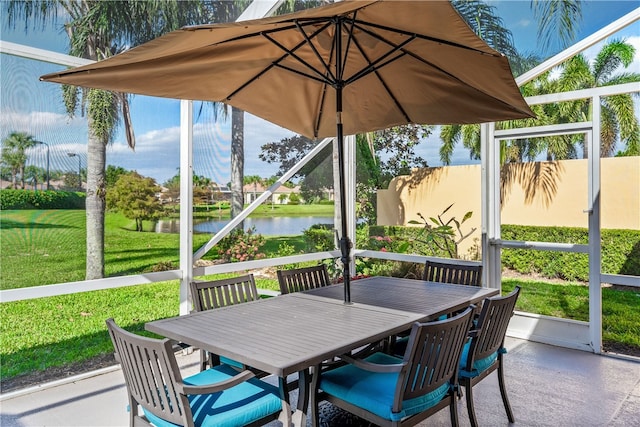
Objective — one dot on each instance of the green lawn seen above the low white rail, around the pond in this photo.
(45, 247)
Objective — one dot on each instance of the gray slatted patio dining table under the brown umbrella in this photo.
(290, 333)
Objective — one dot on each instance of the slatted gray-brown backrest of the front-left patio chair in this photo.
(151, 374)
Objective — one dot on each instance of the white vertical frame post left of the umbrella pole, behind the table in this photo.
(186, 202)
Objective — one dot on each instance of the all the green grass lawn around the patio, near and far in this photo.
(38, 247)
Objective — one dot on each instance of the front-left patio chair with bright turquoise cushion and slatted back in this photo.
(219, 396)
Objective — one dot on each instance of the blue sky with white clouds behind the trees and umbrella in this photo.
(35, 107)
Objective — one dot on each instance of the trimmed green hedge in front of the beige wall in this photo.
(620, 252)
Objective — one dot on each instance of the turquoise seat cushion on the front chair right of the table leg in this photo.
(374, 391)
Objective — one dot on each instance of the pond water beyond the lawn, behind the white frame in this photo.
(270, 226)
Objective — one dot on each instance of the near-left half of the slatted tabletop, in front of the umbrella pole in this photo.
(285, 334)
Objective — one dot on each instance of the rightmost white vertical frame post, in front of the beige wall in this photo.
(595, 243)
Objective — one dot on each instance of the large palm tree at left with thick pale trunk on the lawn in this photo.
(97, 30)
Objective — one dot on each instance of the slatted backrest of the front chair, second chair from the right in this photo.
(432, 356)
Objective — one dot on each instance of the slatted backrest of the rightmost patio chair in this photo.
(492, 326)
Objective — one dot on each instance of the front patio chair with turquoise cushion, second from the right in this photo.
(392, 391)
